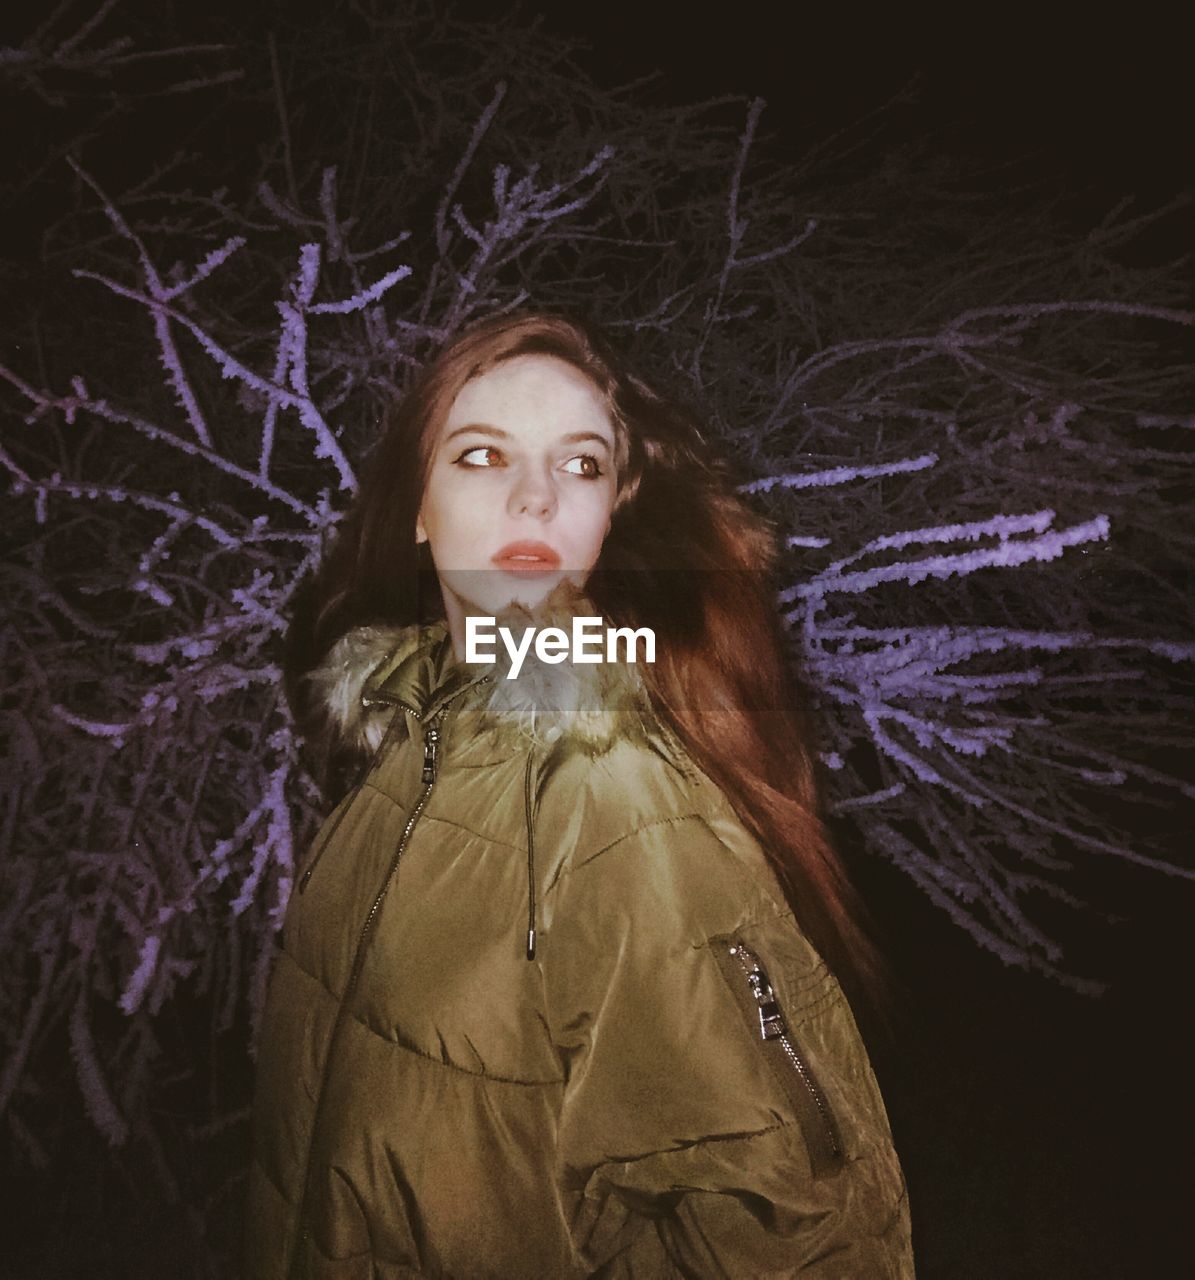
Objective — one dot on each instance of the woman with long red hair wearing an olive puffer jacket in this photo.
(544, 1007)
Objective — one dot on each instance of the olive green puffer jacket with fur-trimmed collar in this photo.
(541, 1011)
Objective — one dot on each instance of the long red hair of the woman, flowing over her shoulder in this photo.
(685, 556)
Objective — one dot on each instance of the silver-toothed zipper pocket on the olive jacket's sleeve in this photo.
(793, 1069)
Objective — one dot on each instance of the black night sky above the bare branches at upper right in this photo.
(1088, 104)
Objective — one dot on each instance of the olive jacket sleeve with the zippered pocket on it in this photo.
(689, 1144)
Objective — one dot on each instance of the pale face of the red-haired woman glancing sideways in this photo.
(521, 486)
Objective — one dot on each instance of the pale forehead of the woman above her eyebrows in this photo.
(532, 394)
